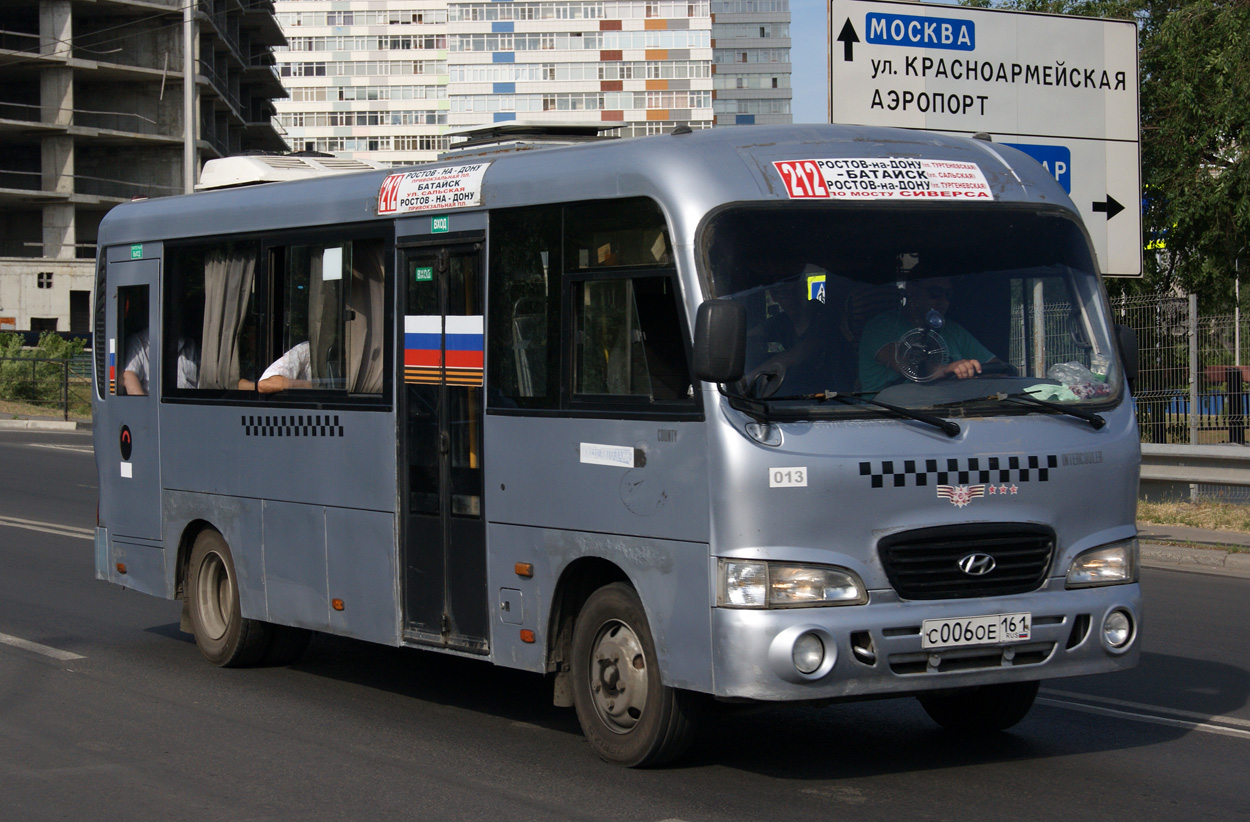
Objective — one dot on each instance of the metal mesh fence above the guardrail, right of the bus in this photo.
(1194, 374)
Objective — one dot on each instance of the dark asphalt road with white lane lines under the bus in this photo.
(108, 711)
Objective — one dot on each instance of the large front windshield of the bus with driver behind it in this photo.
(918, 308)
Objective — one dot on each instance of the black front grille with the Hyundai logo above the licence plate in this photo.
(927, 564)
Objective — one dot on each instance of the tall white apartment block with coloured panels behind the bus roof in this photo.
(387, 81)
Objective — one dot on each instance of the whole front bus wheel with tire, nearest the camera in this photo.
(629, 716)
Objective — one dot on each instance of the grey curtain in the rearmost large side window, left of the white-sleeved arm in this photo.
(229, 273)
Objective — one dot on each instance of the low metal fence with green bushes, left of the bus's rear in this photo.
(36, 384)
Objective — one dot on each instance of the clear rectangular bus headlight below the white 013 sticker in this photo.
(774, 585)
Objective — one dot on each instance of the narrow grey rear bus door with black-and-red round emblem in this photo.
(131, 508)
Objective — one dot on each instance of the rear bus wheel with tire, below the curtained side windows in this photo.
(223, 635)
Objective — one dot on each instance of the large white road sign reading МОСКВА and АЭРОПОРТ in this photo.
(1062, 89)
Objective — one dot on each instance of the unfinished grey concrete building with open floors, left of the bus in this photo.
(92, 116)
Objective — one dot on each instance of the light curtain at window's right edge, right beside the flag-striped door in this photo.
(366, 319)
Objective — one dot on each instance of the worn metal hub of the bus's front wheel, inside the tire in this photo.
(618, 678)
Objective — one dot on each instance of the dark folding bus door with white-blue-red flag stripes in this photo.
(446, 537)
